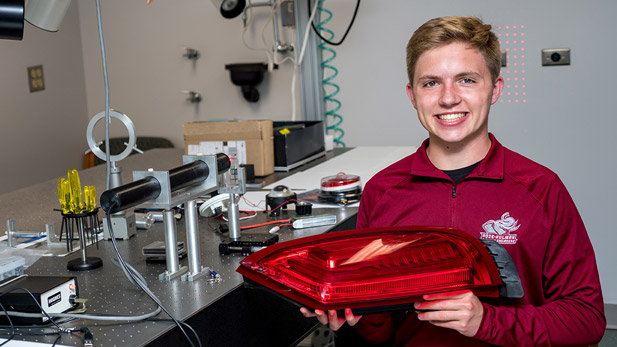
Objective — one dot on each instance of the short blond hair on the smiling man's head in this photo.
(441, 31)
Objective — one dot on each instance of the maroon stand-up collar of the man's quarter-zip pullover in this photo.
(491, 167)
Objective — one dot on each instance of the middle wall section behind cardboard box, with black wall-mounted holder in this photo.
(147, 70)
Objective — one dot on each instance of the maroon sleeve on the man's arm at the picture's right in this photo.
(574, 310)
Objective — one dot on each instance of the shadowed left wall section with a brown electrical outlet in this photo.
(42, 133)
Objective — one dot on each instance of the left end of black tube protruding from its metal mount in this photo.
(129, 195)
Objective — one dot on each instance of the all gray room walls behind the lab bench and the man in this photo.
(566, 122)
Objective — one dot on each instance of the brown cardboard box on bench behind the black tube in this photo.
(257, 135)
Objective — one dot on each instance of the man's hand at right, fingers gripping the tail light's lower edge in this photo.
(461, 311)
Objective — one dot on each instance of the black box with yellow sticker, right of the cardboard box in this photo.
(296, 143)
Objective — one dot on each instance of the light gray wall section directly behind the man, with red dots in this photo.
(567, 122)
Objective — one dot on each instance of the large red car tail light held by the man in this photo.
(374, 267)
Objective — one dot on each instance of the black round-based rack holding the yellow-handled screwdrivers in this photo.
(86, 224)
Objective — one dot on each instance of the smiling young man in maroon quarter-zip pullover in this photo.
(463, 177)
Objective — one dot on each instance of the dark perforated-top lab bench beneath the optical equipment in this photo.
(223, 313)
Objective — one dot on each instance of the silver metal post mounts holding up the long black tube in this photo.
(167, 200)
